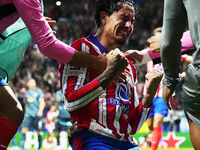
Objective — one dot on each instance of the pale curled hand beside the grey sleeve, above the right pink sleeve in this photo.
(154, 42)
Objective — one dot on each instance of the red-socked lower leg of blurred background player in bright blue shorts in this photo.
(157, 131)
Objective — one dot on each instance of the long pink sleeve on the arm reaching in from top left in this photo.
(31, 13)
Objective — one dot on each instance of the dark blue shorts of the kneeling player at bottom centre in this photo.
(87, 140)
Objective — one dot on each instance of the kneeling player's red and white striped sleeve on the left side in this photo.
(78, 91)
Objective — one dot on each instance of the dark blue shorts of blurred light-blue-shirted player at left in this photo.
(35, 122)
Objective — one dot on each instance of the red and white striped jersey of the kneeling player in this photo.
(115, 112)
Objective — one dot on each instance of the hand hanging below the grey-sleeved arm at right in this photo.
(167, 95)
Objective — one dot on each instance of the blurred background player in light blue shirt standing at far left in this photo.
(33, 111)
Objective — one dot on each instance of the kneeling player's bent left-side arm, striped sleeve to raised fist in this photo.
(78, 98)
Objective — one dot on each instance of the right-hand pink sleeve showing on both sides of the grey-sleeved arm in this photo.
(186, 45)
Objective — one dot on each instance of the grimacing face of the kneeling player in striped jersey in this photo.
(119, 25)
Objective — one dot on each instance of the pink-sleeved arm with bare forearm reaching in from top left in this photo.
(42, 35)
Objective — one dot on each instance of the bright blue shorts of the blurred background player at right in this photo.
(159, 107)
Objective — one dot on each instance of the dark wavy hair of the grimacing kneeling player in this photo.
(109, 6)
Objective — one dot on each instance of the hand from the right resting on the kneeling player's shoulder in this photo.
(135, 56)
